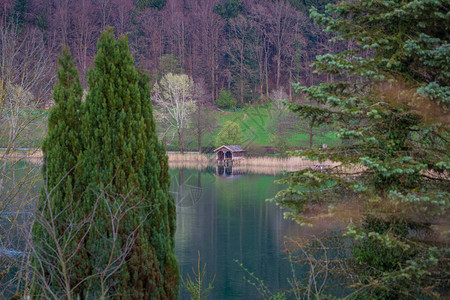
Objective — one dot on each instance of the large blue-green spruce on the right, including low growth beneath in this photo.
(389, 105)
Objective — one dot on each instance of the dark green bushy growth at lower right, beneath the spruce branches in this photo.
(401, 266)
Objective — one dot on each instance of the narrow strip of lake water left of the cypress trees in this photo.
(19, 186)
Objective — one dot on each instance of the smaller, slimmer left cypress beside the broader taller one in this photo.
(59, 195)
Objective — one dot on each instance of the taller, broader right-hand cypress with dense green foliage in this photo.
(123, 158)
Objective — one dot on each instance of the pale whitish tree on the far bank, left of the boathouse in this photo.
(174, 96)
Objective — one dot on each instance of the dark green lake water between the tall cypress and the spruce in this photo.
(227, 218)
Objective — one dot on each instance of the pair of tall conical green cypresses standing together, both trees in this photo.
(120, 178)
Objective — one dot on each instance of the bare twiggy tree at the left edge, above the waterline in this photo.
(25, 79)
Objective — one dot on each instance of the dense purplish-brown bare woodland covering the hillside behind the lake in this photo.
(249, 47)
